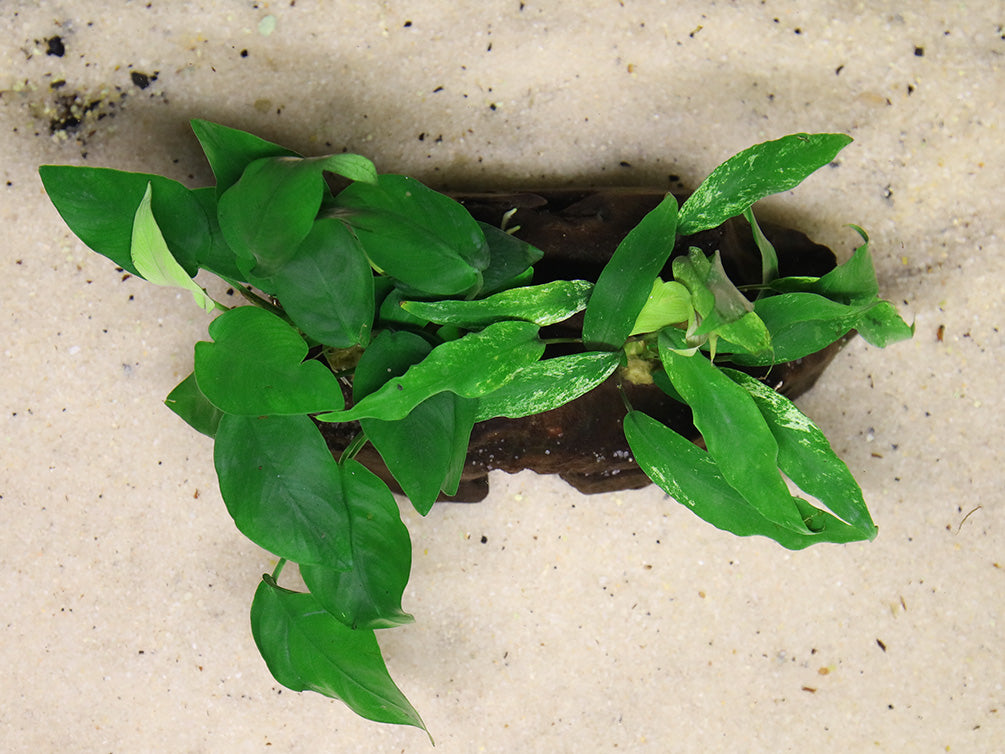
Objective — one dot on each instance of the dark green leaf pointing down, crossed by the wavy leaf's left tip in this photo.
(425, 451)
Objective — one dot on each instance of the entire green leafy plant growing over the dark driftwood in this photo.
(431, 321)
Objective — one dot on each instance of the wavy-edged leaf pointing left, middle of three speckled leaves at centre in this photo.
(471, 366)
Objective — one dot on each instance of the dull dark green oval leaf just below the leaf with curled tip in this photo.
(328, 287)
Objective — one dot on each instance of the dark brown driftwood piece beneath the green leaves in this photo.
(583, 442)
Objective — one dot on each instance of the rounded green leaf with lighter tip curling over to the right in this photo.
(268, 214)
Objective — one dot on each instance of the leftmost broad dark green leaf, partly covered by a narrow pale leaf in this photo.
(100, 205)
